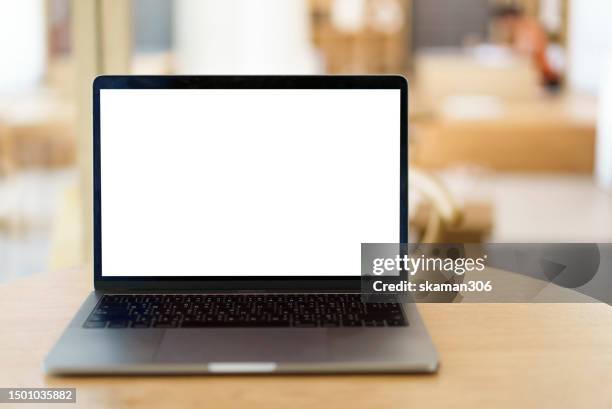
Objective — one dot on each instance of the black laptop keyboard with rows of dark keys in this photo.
(241, 310)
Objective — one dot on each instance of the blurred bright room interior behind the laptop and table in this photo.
(510, 104)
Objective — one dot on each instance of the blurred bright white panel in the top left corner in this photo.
(23, 44)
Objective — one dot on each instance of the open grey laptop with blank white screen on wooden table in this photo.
(229, 213)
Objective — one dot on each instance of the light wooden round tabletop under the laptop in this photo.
(492, 356)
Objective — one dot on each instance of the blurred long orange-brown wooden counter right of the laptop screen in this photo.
(536, 136)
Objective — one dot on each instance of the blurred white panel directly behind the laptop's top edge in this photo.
(242, 37)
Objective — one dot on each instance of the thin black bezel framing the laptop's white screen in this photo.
(220, 283)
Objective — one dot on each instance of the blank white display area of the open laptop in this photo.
(253, 182)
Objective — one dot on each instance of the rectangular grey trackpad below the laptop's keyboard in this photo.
(243, 345)
